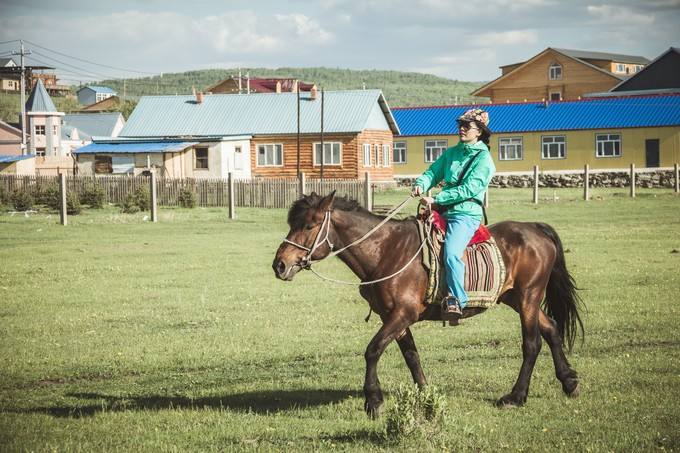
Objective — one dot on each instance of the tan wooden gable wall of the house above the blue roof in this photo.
(532, 83)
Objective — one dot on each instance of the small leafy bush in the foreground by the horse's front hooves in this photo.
(416, 412)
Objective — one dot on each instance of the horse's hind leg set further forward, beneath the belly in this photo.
(528, 308)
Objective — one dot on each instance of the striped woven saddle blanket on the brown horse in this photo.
(484, 272)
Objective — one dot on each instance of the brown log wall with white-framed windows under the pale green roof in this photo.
(351, 167)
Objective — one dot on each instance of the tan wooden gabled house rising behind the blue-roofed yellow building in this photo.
(560, 74)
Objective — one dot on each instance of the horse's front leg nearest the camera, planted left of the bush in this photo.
(393, 325)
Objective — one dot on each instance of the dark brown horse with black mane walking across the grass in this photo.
(534, 260)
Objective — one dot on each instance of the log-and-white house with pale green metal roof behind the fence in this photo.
(252, 135)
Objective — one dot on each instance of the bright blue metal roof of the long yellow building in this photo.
(600, 113)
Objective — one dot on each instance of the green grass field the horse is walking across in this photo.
(119, 334)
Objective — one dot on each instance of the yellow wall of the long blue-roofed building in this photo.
(580, 150)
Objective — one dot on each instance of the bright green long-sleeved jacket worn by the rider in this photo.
(448, 168)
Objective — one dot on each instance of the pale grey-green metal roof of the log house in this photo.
(258, 114)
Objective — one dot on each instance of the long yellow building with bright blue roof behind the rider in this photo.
(606, 133)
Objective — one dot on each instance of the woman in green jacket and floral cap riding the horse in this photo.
(461, 199)
